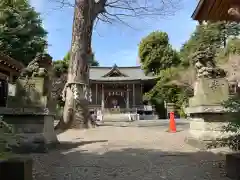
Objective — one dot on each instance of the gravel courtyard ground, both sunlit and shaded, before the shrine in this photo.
(126, 153)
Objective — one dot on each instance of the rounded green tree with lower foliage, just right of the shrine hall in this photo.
(158, 57)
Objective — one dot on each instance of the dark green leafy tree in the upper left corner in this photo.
(21, 33)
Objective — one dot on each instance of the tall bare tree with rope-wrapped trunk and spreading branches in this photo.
(86, 12)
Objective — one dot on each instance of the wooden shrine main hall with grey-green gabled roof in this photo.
(119, 87)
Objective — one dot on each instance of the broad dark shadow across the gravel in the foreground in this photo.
(70, 162)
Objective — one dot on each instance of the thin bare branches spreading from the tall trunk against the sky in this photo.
(110, 11)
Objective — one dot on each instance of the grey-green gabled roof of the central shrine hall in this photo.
(116, 73)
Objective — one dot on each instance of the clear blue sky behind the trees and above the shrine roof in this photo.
(115, 43)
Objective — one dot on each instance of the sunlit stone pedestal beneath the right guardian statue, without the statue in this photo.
(206, 114)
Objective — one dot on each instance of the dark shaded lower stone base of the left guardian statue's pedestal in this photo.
(36, 132)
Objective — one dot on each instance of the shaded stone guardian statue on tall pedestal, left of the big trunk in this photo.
(30, 111)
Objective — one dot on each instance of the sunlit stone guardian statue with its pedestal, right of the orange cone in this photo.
(206, 114)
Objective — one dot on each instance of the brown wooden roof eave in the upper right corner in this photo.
(215, 10)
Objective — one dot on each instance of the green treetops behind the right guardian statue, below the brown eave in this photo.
(210, 35)
